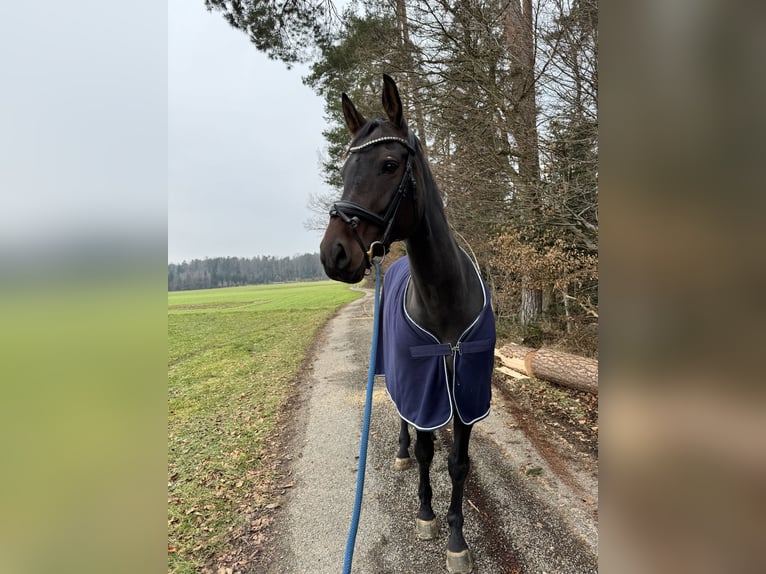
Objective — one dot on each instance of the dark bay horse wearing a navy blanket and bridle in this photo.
(437, 329)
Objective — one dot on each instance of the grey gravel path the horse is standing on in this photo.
(525, 512)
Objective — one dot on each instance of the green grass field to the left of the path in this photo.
(232, 356)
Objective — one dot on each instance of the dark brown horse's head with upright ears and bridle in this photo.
(379, 203)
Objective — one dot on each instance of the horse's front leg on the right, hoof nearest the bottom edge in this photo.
(458, 556)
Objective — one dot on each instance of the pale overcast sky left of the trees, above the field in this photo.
(244, 143)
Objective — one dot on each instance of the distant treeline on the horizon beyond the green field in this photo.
(232, 271)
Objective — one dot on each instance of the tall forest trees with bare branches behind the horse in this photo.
(503, 96)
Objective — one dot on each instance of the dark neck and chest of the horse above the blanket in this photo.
(445, 295)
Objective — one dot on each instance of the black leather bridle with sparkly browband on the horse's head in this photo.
(352, 213)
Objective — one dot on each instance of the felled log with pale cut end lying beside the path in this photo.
(565, 369)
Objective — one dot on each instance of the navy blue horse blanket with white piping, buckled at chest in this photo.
(414, 361)
